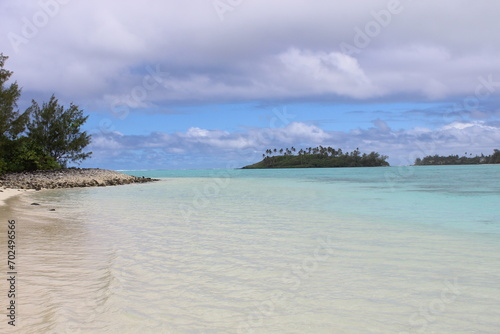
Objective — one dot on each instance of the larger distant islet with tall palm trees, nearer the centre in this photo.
(318, 157)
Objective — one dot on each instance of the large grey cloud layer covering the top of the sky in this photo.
(260, 51)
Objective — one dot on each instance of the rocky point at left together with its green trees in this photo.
(37, 145)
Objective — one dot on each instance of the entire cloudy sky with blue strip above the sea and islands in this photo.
(214, 83)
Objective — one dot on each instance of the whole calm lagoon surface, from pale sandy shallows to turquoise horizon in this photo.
(347, 250)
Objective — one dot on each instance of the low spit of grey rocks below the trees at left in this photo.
(68, 178)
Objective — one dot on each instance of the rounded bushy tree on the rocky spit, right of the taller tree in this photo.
(57, 131)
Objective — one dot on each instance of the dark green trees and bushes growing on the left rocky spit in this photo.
(46, 137)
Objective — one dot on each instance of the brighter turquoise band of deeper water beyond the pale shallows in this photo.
(455, 197)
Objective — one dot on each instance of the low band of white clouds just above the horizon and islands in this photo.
(402, 146)
